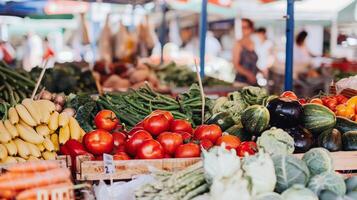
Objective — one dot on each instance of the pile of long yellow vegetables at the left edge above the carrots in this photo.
(33, 130)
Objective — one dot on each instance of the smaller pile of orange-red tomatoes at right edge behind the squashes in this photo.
(341, 105)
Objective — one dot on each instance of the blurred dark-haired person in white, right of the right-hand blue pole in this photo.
(302, 56)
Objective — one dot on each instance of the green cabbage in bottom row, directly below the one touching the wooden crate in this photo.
(328, 181)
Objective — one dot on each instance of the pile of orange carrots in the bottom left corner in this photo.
(24, 181)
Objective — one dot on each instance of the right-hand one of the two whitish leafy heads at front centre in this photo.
(262, 180)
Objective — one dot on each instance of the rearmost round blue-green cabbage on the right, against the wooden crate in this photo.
(318, 160)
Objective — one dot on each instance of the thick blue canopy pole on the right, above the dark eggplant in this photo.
(289, 45)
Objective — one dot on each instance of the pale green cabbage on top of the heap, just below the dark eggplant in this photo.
(276, 141)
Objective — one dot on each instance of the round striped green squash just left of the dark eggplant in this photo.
(255, 119)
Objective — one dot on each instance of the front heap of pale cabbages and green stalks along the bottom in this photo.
(261, 176)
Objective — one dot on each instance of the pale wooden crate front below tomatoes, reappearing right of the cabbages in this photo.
(88, 170)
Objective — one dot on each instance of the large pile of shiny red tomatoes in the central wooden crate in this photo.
(158, 136)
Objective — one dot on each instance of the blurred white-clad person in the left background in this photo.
(33, 51)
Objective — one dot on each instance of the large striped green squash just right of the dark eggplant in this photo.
(318, 118)
